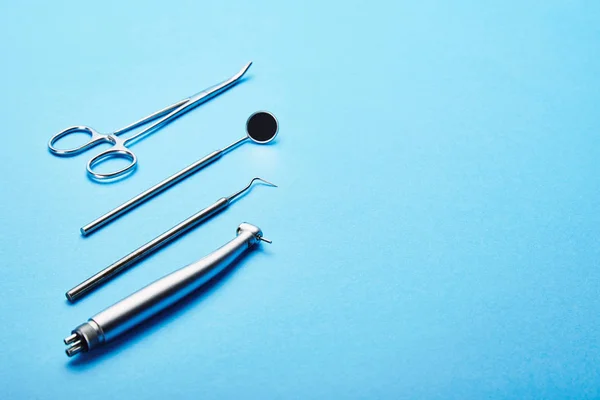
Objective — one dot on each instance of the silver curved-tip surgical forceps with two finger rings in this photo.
(119, 145)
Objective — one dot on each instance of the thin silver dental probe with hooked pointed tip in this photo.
(107, 273)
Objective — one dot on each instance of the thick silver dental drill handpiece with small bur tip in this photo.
(159, 295)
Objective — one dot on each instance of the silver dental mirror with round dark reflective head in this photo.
(261, 128)
